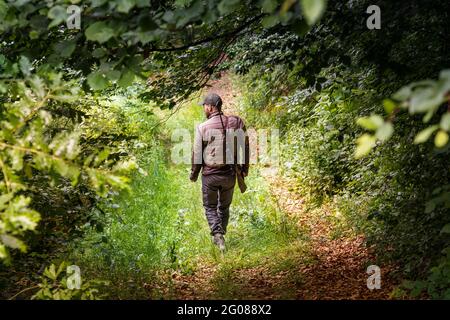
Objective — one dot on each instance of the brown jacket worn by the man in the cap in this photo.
(210, 148)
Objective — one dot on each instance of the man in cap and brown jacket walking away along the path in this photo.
(221, 151)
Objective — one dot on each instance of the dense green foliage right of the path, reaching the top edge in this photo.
(324, 87)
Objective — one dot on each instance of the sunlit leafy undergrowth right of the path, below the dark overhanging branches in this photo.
(389, 196)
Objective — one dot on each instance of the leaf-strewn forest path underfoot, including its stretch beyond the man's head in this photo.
(319, 263)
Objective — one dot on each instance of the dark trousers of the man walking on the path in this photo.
(217, 196)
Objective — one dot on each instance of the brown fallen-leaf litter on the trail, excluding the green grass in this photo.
(338, 270)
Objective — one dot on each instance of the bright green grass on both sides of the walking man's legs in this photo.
(160, 226)
